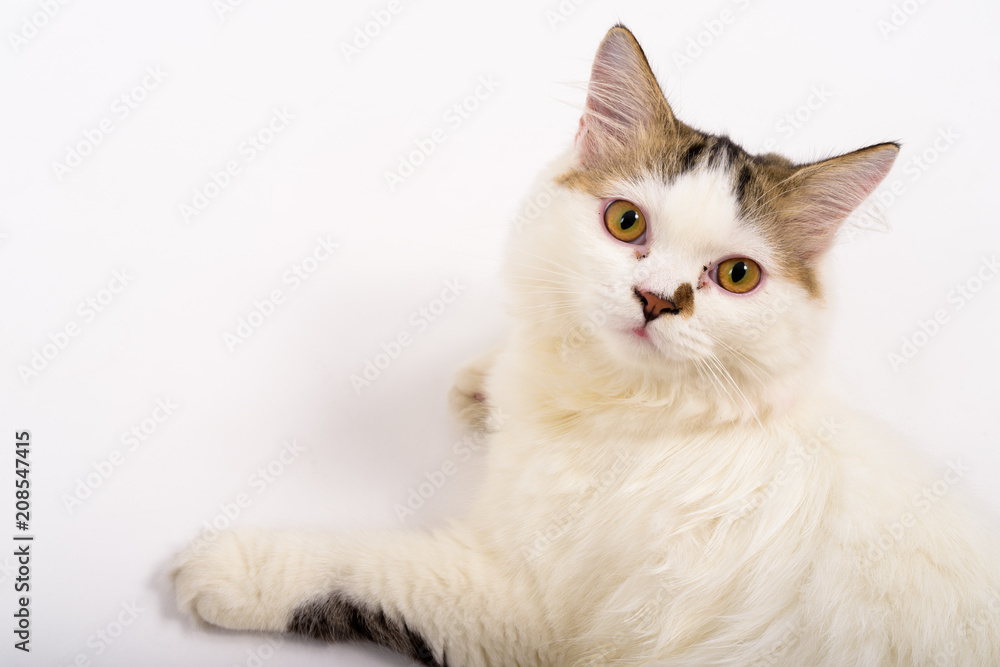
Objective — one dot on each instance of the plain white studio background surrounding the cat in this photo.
(162, 336)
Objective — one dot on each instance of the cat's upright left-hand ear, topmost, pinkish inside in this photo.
(624, 100)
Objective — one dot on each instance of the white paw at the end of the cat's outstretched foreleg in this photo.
(219, 579)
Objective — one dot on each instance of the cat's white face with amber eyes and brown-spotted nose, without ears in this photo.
(694, 283)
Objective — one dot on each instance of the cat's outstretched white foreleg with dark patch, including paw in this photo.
(426, 595)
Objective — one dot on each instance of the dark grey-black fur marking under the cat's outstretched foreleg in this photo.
(336, 618)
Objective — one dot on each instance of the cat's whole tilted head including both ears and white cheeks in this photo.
(668, 255)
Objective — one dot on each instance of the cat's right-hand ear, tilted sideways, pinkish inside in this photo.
(816, 198)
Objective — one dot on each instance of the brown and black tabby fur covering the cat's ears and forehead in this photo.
(628, 132)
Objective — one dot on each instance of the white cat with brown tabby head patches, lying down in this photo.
(669, 481)
